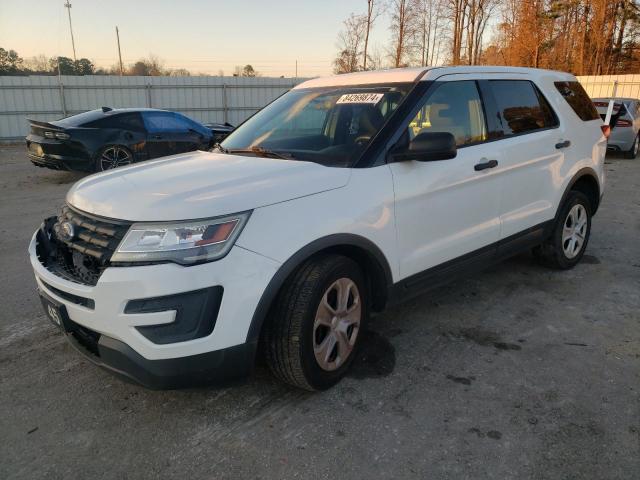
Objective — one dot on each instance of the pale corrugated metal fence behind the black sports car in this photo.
(201, 98)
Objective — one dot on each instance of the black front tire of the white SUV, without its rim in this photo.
(290, 336)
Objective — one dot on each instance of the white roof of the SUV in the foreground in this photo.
(403, 75)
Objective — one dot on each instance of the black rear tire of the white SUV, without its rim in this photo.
(552, 252)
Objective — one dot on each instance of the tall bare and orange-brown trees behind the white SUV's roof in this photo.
(585, 37)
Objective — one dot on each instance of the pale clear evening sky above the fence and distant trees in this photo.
(199, 35)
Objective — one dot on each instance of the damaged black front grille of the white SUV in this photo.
(83, 257)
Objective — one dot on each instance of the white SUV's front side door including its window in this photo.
(448, 208)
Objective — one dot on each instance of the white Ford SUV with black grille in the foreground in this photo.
(341, 196)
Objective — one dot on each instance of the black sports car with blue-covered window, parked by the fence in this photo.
(107, 138)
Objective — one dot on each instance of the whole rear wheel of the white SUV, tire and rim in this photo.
(567, 243)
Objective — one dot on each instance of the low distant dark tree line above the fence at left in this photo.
(11, 63)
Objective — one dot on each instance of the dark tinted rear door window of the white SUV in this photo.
(521, 107)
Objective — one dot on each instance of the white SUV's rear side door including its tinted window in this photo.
(533, 145)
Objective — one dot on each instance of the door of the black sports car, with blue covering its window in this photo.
(169, 133)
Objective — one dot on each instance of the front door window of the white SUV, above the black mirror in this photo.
(456, 108)
